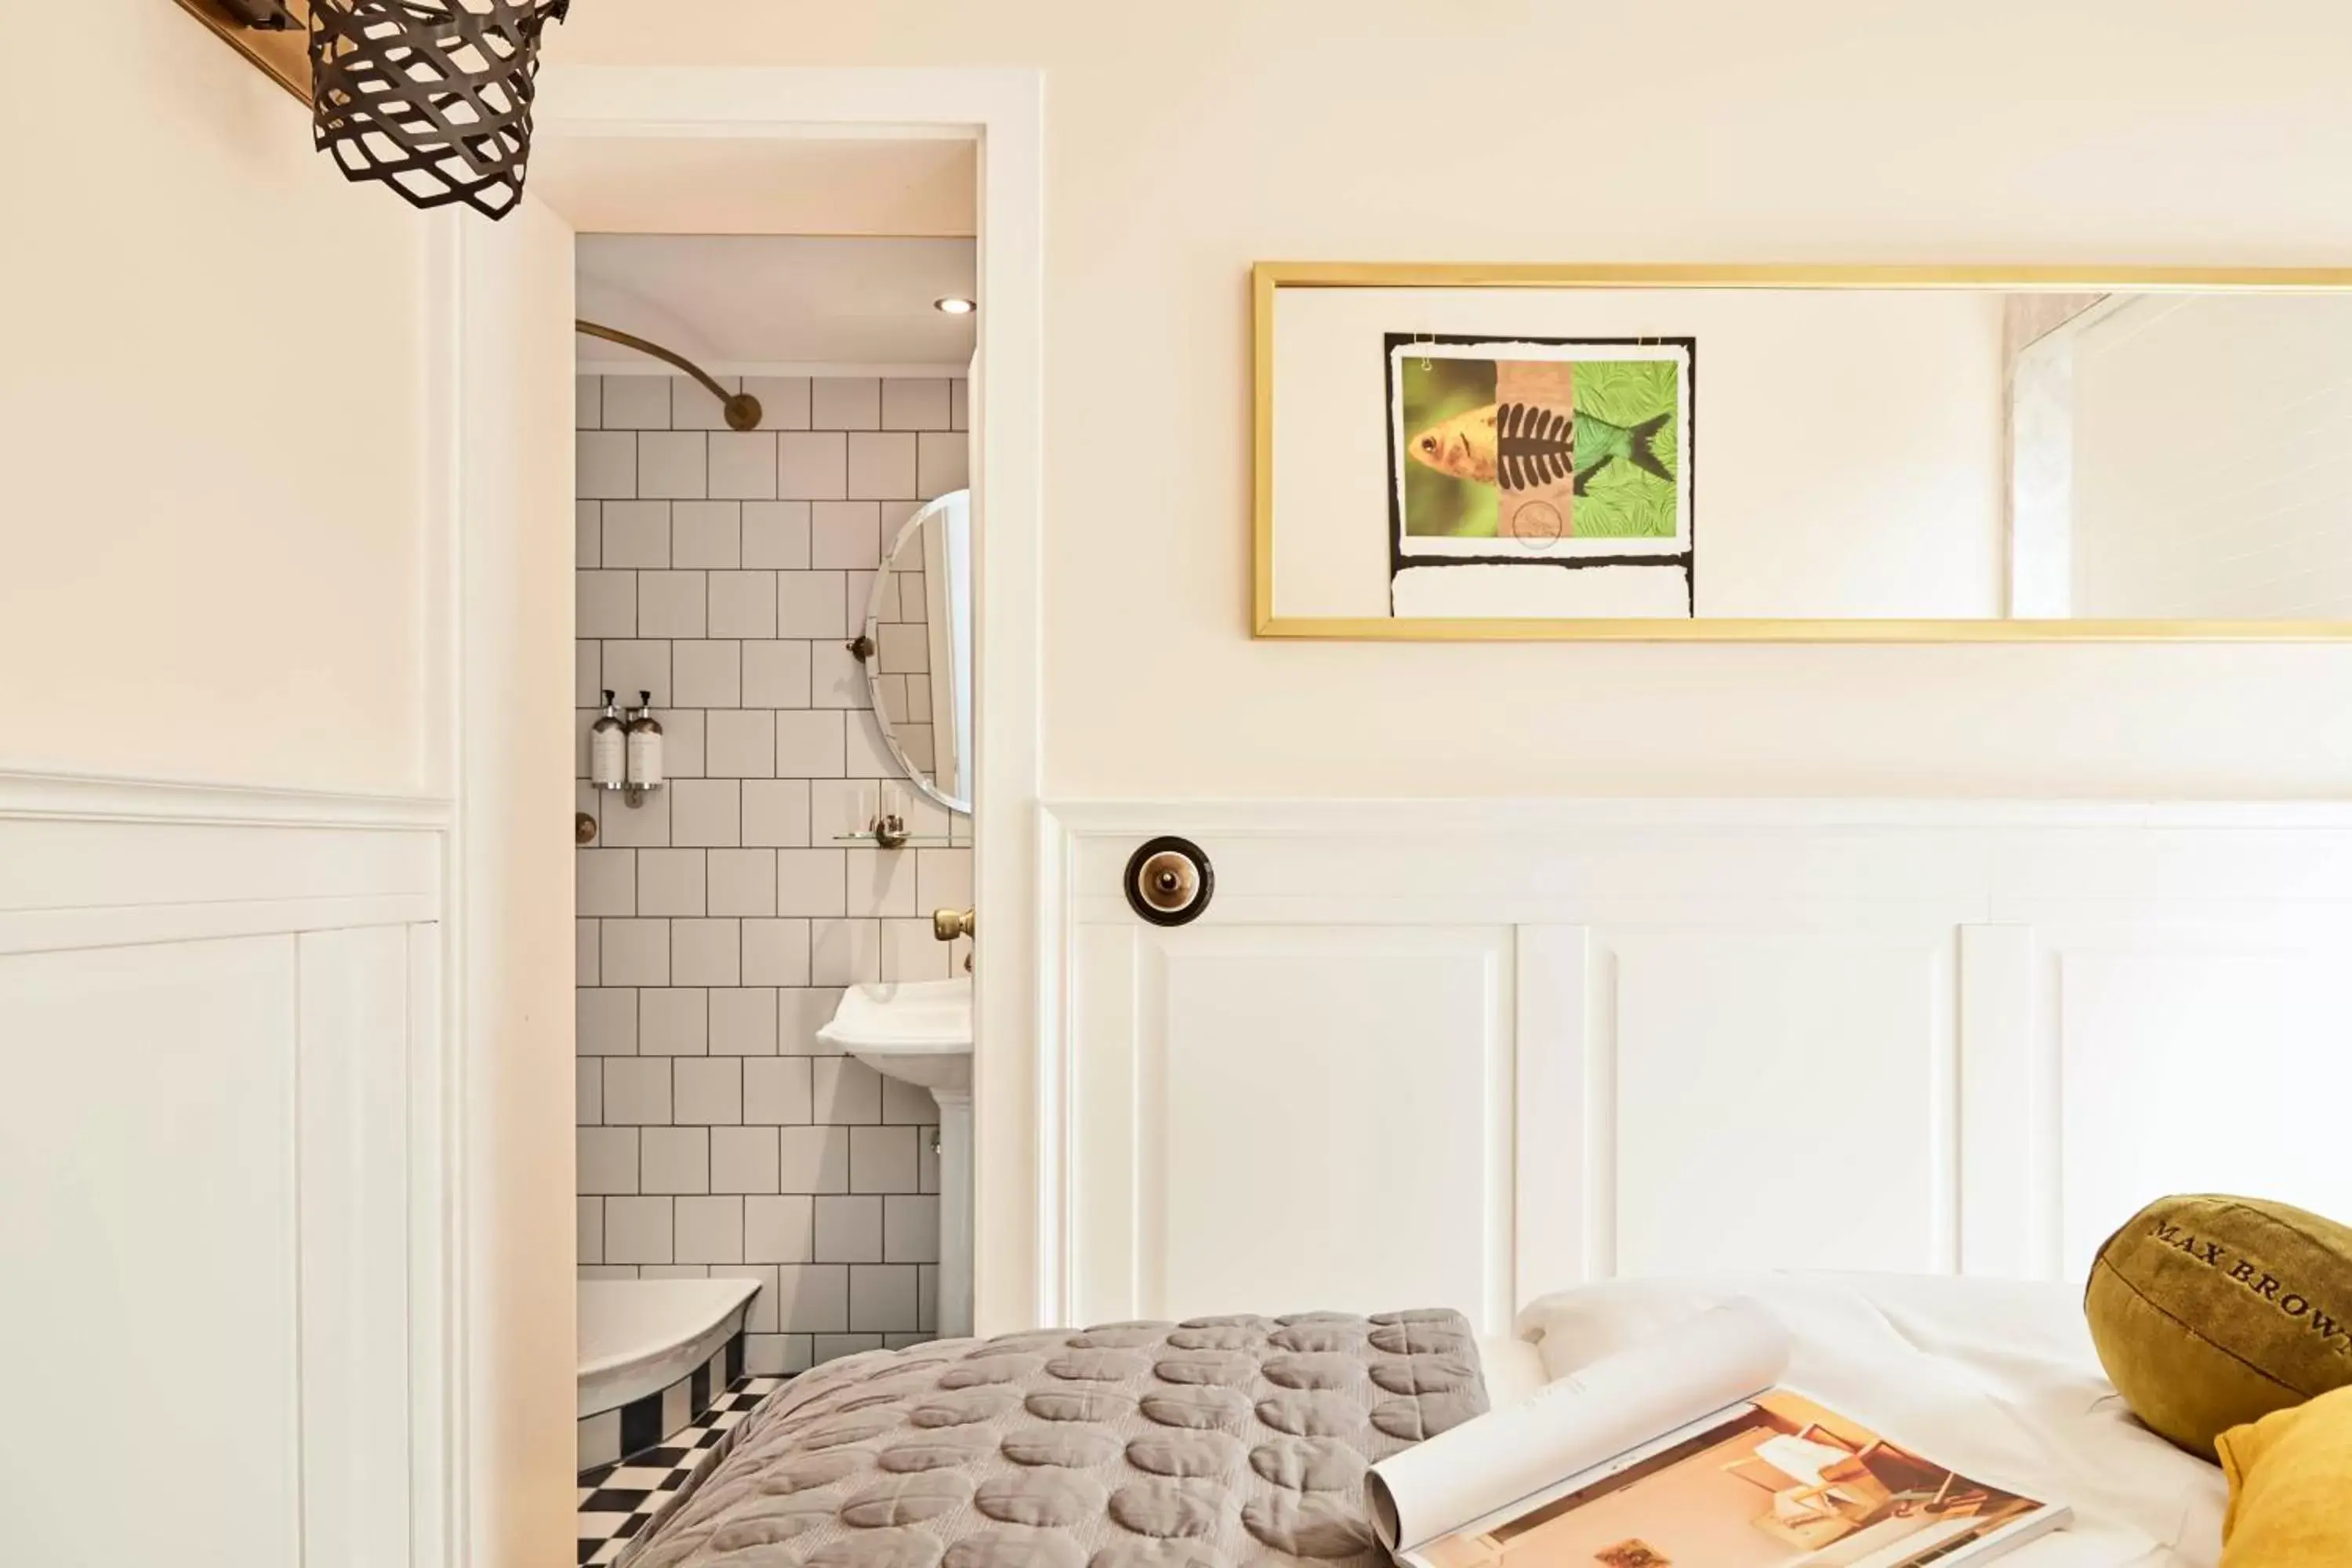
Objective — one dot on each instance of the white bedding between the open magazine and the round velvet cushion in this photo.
(1993, 1379)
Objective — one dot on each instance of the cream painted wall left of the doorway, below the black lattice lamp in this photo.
(215, 551)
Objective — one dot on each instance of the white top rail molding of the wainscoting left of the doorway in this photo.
(100, 798)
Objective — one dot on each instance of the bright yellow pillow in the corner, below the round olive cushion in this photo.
(2290, 1487)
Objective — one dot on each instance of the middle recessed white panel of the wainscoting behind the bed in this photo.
(1784, 1101)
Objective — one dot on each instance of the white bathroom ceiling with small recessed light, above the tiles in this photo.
(775, 302)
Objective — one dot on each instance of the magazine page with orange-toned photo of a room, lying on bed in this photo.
(1772, 1485)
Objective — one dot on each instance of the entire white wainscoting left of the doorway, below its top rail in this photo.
(220, 1174)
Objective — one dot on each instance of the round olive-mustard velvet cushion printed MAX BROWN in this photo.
(2212, 1313)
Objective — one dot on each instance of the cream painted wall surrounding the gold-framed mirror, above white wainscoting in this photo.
(1187, 145)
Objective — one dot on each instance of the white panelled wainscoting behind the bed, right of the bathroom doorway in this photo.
(1474, 1052)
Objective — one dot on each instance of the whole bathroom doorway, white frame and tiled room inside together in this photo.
(822, 789)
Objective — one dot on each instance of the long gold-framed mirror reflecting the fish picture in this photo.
(1873, 455)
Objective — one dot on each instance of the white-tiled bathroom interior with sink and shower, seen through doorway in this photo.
(775, 800)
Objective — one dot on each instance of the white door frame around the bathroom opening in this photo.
(1003, 112)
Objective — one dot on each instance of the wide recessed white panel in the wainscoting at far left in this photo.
(152, 1238)
